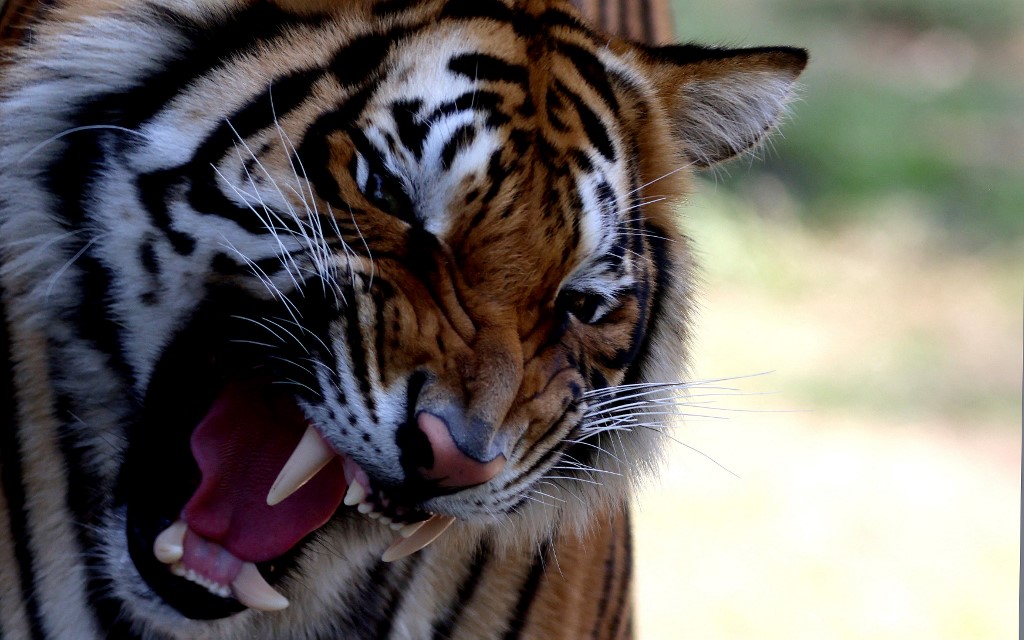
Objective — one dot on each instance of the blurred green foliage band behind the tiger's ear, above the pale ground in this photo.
(907, 108)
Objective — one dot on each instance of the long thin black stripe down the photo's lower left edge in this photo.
(14, 488)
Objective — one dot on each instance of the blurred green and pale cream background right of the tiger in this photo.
(870, 260)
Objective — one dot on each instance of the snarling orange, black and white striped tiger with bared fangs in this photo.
(345, 319)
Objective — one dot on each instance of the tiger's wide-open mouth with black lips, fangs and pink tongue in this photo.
(227, 478)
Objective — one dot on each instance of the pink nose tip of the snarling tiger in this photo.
(451, 467)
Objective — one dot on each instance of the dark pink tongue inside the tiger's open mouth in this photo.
(241, 446)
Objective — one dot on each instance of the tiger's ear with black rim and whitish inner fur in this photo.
(722, 102)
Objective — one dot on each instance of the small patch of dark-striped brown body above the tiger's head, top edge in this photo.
(645, 21)
